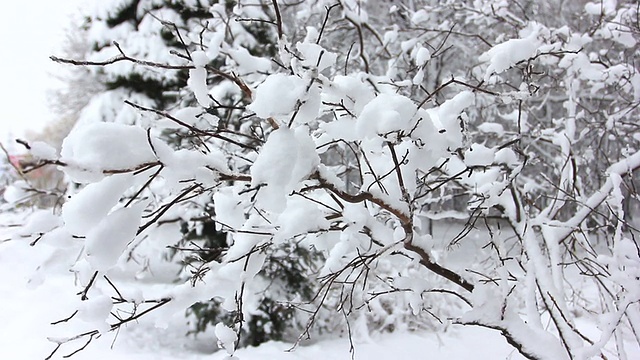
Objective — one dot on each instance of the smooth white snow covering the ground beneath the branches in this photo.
(27, 309)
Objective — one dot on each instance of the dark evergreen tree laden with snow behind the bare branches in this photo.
(144, 20)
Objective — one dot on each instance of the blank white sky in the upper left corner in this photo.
(29, 33)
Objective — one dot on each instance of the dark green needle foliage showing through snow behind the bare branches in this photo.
(287, 267)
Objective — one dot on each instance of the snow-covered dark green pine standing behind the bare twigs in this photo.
(118, 29)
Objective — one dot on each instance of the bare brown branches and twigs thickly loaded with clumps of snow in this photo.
(358, 126)
